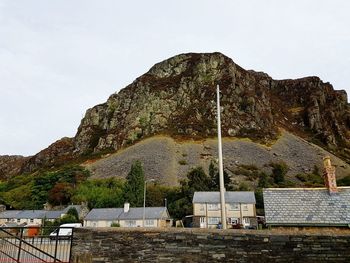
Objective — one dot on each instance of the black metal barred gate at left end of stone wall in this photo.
(24, 245)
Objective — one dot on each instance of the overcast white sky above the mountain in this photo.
(59, 58)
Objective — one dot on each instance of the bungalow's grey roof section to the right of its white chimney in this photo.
(150, 213)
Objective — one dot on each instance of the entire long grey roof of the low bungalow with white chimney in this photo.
(133, 213)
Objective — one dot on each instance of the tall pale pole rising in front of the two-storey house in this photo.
(221, 174)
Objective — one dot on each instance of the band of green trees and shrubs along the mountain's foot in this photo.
(71, 184)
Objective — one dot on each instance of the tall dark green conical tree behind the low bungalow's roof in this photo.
(134, 187)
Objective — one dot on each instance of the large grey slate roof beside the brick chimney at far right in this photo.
(307, 206)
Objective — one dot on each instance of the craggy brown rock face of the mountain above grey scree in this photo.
(177, 98)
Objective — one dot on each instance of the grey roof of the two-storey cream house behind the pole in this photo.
(246, 197)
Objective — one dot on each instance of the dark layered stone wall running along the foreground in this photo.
(202, 245)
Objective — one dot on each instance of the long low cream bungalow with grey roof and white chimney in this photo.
(128, 217)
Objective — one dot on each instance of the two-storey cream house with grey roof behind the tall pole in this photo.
(240, 209)
